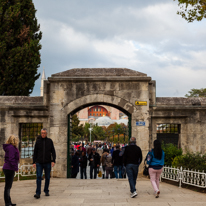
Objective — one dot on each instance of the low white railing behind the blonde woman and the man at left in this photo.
(24, 171)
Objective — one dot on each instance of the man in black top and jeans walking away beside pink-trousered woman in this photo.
(132, 160)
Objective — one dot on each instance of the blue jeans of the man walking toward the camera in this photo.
(39, 171)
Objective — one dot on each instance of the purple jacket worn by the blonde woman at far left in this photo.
(11, 157)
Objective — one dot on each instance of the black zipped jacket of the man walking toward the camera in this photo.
(43, 150)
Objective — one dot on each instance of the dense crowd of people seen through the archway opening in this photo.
(103, 159)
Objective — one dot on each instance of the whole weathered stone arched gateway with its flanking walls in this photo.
(177, 120)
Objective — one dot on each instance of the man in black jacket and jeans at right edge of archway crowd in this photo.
(117, 162)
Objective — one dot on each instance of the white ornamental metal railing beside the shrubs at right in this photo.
(185, 176)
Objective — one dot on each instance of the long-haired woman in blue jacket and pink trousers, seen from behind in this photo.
(155, 160)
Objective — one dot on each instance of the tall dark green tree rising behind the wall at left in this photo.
(19, 47)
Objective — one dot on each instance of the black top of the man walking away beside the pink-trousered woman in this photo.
(132, 155)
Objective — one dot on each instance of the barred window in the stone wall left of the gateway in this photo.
(28, 133)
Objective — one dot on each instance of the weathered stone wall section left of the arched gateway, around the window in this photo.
(15, 110)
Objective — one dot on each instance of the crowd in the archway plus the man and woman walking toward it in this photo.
(116, 161)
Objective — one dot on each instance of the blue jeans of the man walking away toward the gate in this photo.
(132, 172)
